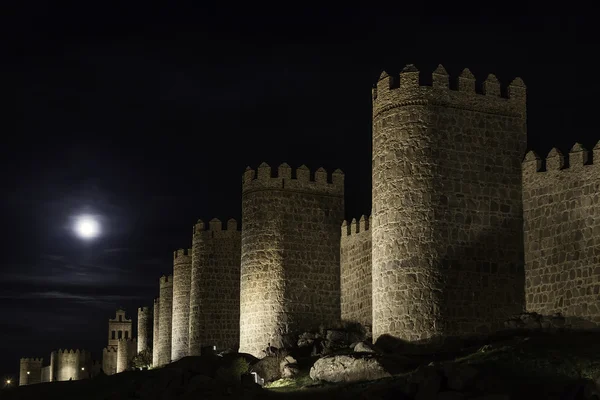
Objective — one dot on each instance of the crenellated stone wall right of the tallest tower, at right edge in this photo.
(561, 206)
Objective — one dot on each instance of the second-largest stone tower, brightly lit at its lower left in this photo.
(290, 270)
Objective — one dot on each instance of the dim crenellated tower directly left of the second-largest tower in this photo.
(215, 291)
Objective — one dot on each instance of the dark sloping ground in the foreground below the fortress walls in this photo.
(562, 365)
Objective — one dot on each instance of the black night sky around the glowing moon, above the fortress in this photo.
(148, 118)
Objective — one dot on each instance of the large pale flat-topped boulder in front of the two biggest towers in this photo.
(348, 368)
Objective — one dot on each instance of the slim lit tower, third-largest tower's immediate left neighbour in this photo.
(182, 269)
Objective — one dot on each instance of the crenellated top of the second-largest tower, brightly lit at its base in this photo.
(264, 177)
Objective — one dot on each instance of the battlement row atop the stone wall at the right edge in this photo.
(578, 158)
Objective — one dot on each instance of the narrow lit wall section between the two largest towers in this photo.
(355, 267)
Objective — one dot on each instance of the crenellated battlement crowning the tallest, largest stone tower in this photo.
(405, 88)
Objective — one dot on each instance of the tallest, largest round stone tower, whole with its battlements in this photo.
(447, 238)
